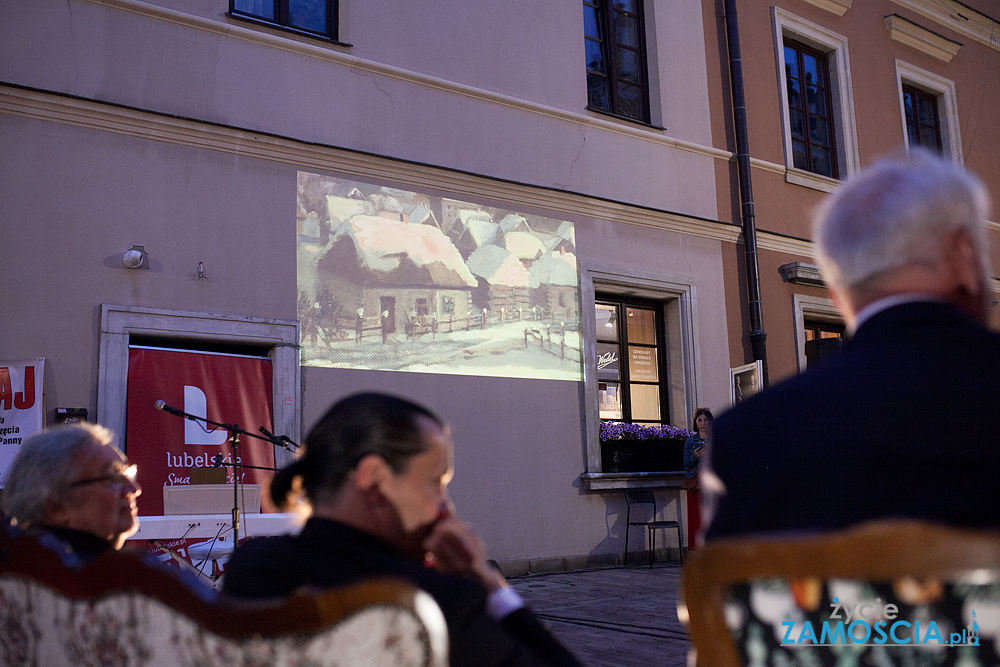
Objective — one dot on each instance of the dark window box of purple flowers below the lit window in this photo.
(641, 448)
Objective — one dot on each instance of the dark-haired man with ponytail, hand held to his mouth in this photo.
(375, 471)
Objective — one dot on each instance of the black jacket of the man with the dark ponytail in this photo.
(327, 554)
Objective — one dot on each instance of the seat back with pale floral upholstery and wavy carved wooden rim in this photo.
(125, 610)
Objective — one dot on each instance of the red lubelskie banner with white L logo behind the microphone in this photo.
(225, 388)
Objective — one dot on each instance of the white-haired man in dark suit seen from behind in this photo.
(903, 421)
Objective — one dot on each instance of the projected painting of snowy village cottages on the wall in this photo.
(401, 281)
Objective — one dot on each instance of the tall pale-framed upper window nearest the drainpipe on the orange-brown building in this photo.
(817, 105)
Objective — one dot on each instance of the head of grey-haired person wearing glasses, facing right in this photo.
(71, 482)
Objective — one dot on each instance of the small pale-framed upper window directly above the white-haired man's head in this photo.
(928, 111)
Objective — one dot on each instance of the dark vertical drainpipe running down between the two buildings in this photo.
(757, 335)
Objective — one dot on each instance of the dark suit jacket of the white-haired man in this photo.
(903, 422)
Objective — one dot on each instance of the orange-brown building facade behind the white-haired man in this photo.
(831, 85)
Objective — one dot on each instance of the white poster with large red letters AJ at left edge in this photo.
(21, 409)
